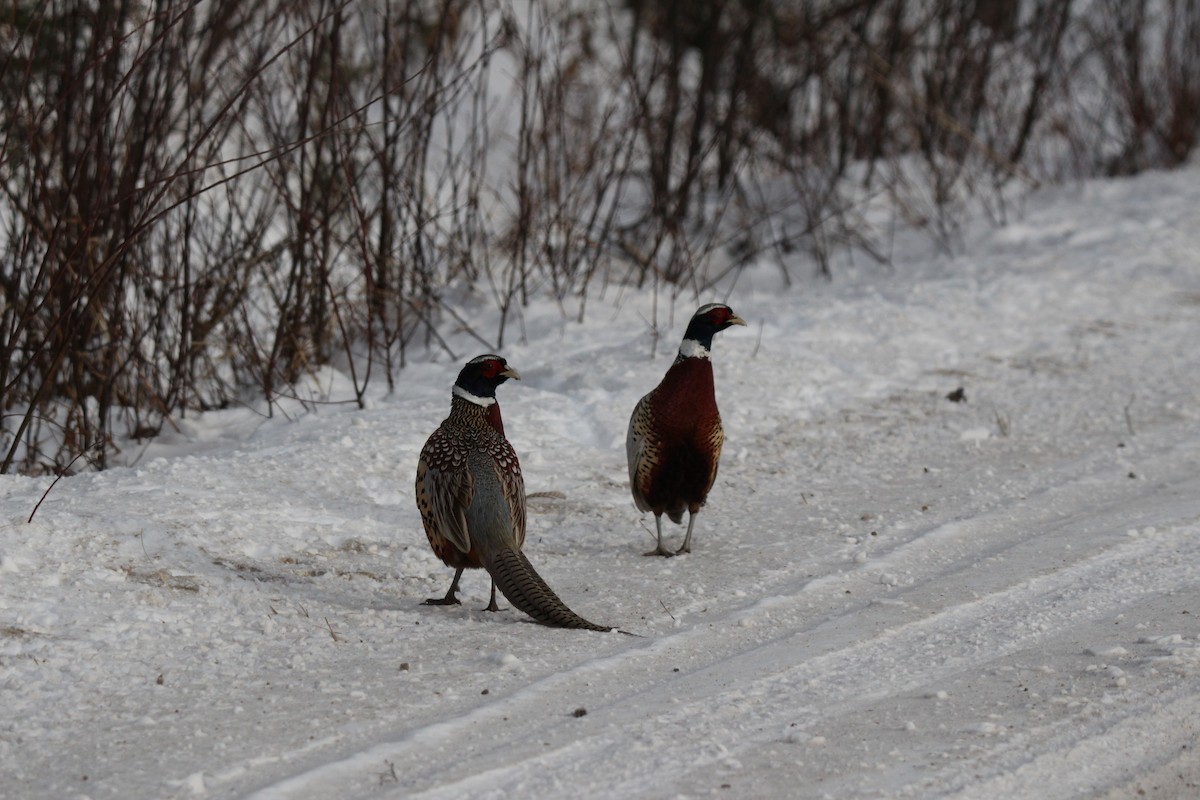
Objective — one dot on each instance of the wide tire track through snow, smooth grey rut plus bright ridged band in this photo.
(644, 720)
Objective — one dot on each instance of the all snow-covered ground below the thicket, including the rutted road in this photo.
(892, 594)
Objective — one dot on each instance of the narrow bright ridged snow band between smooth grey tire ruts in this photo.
(764, 696)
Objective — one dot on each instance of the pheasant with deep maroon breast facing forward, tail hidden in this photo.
(675, 436)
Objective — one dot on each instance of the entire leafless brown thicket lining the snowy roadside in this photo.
(205, 201)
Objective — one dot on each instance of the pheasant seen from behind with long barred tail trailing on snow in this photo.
(472, 501)
